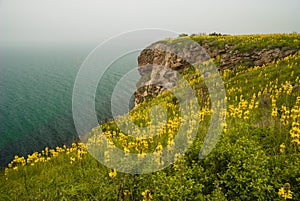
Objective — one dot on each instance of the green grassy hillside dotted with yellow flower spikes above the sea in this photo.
(256, 157)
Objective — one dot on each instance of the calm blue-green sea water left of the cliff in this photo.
(36, 84)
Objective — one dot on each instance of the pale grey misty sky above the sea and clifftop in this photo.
(96, 20)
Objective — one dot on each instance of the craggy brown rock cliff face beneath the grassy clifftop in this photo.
(158, 62)
